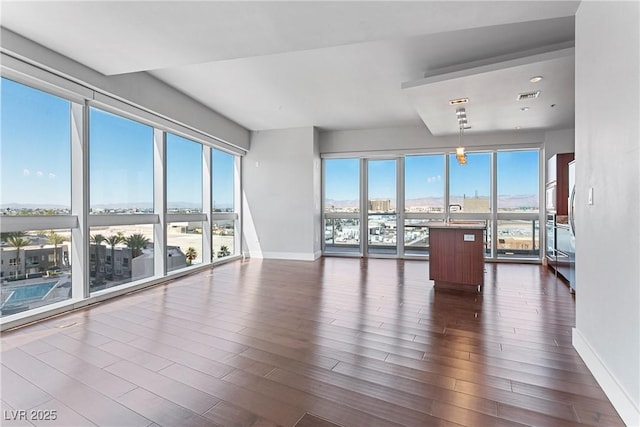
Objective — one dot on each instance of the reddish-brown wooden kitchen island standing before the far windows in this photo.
(456, 254)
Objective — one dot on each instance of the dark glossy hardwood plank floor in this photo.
(350, 342)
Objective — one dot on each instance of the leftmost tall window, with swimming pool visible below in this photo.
(35, 173)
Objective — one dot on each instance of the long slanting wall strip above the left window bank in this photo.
(140, 89)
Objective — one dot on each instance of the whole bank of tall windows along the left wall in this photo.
(102, 186)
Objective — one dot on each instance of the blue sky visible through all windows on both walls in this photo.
(36, 162)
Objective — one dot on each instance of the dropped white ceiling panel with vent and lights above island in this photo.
(492, 91)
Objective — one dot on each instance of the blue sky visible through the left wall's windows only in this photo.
(35, 156)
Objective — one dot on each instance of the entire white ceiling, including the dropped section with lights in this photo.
(334, 65)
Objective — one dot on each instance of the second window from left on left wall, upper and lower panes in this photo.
(121, 184)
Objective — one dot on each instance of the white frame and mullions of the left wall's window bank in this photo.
(83, 98)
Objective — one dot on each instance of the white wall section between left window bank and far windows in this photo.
(281, 195)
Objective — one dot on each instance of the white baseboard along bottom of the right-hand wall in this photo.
(622, 402)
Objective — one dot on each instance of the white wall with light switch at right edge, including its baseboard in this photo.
(607, 333)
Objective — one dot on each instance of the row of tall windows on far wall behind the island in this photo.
(497, 187)
